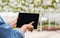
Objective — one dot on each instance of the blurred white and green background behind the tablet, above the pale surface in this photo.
(49, 11)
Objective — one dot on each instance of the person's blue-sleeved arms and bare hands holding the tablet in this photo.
(6, 30)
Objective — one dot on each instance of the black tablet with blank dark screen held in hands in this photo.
(26, 18)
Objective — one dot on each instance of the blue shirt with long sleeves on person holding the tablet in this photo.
(6, 31)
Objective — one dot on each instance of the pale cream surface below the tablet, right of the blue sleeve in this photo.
(42, 34)
